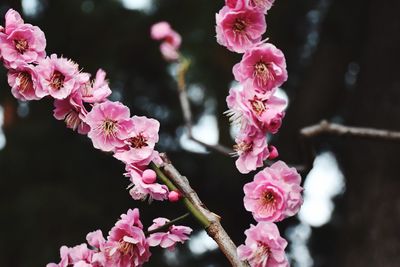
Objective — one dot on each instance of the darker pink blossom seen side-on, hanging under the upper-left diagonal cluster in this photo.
(72, 111)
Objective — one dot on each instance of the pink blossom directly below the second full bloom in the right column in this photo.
(247, 106)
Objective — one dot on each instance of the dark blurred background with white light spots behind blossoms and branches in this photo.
(343, 61)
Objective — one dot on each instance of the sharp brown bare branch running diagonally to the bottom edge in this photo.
(215, 229)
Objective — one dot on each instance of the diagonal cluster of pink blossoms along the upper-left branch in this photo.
(81, 102)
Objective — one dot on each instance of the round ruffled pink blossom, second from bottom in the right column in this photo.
(274, 194)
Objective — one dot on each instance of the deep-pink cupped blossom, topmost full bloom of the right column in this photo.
(241, 29)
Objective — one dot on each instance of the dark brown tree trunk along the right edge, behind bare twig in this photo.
(372, 236)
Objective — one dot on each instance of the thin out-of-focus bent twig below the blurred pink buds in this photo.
(187, 113)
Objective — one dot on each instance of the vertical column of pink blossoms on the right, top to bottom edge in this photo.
(275, 192)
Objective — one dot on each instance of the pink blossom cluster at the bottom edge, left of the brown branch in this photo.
(126, 245)
